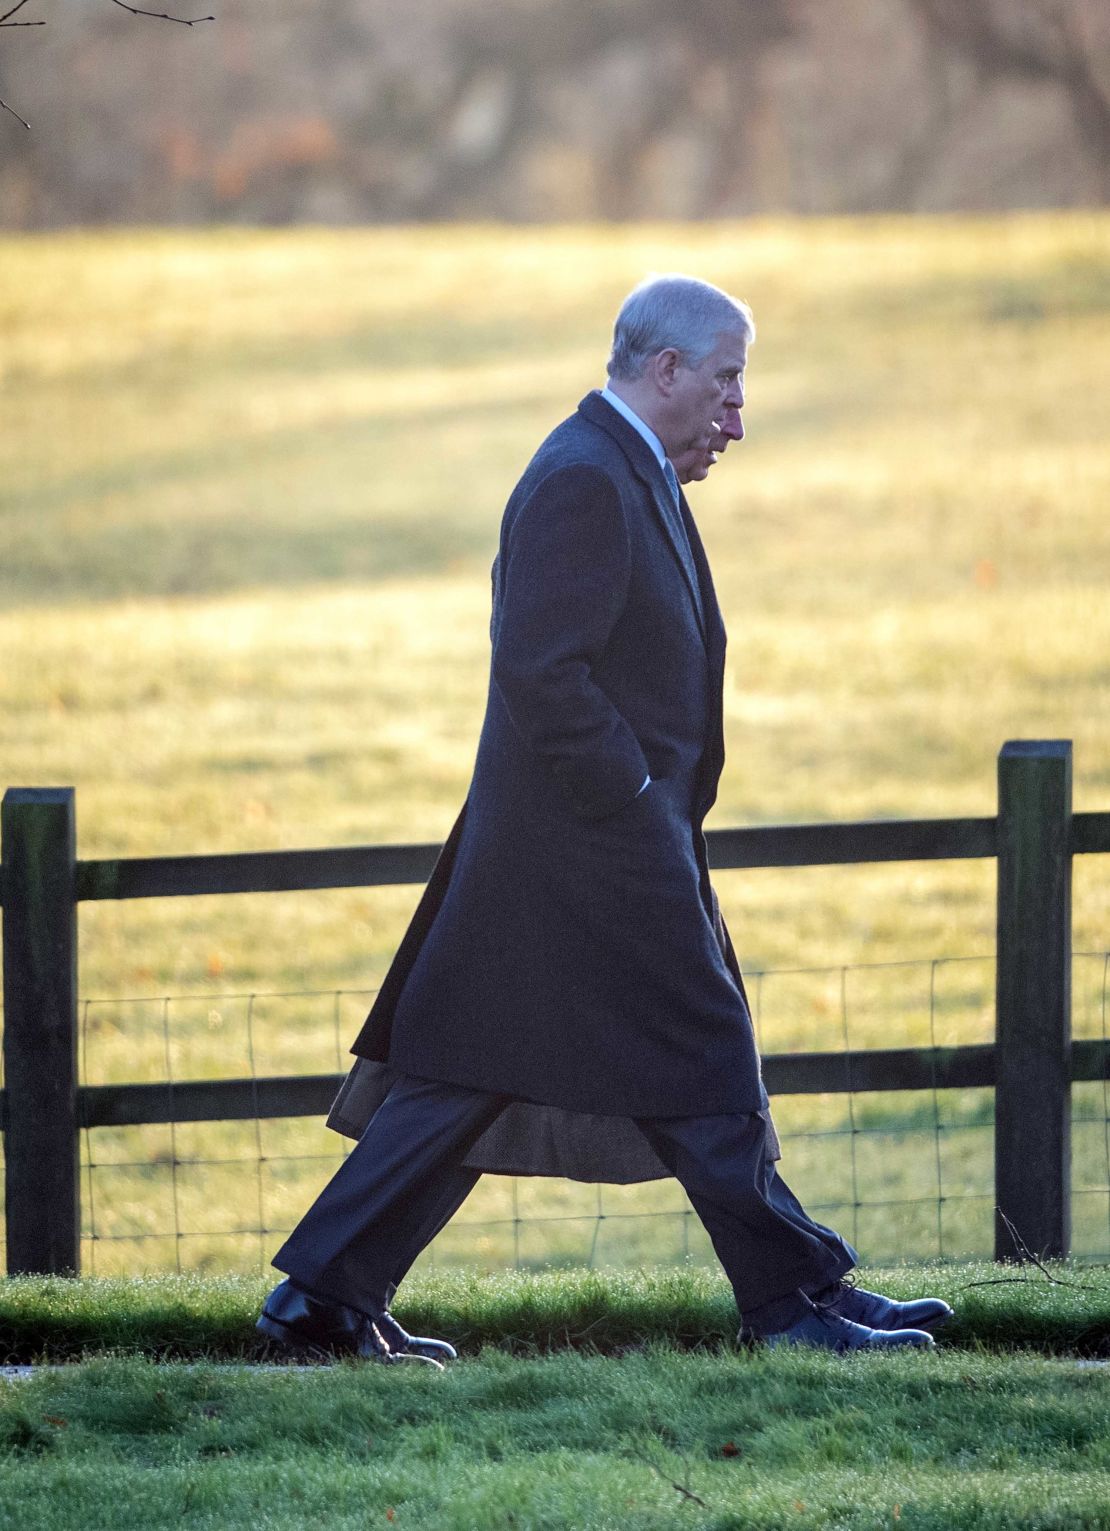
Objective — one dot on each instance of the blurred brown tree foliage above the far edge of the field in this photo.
(520, 109)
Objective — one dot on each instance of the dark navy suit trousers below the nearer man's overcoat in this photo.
(405, 1180)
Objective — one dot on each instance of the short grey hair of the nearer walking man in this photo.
(673, 313)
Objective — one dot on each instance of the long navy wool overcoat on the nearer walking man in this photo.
(569, 950)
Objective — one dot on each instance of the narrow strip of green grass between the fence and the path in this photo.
(534, 1313)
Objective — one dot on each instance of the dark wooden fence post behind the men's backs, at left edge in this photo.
(39, 849)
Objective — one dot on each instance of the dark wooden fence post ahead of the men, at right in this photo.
(1034, 1001)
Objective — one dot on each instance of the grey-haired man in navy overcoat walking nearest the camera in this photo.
(567, 993)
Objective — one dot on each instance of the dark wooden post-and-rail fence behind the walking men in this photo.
(1031, 1063)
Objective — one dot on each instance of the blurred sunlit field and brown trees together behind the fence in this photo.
(287, 302)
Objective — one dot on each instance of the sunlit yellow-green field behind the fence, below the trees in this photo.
(250, 494)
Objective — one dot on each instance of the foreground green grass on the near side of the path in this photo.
(944, 1441)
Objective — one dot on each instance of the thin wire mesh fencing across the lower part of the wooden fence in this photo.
(906, 1175)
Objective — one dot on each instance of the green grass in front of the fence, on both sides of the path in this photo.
(579, 1402)
